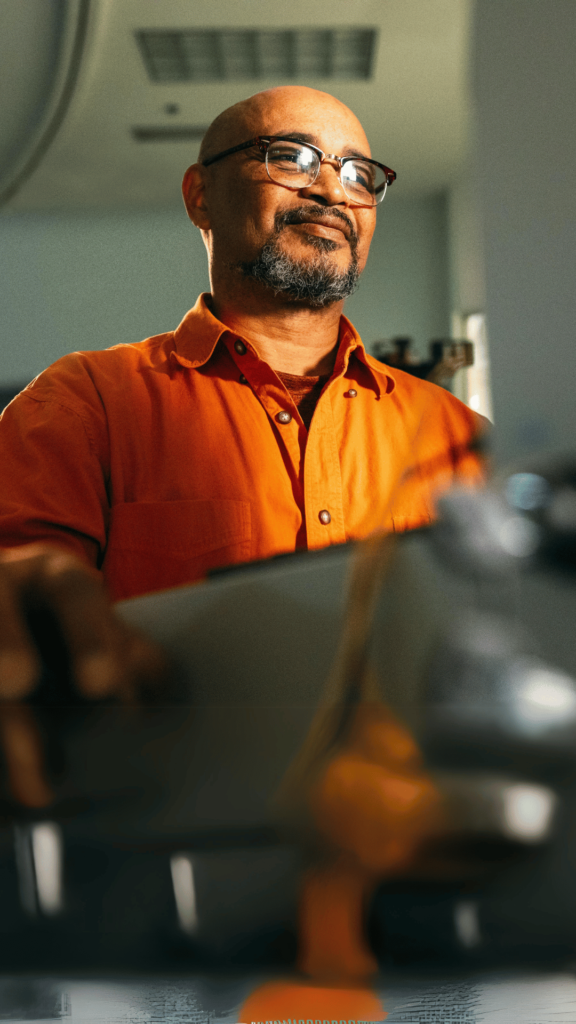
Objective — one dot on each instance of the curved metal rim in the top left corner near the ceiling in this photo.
(71, 49)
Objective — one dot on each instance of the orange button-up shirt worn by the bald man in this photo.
(161, 460)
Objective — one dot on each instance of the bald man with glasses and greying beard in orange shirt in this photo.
(259, 426)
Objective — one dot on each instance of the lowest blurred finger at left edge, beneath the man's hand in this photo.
(24, 757)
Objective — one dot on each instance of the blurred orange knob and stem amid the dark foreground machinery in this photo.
(376, 806)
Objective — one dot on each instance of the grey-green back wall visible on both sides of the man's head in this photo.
(90, 281)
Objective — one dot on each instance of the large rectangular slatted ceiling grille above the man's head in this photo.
(218, 56)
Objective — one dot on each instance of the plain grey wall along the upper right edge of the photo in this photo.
(525, 98)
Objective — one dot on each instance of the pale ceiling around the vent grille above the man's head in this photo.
(73, 148)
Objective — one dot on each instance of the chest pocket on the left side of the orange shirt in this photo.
(157, 545)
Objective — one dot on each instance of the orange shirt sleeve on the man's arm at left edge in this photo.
(53, 470)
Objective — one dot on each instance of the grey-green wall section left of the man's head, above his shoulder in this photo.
(91, 281)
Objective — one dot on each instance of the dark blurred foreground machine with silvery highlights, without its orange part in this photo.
(166, 847)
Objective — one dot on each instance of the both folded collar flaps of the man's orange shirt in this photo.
(199, 333)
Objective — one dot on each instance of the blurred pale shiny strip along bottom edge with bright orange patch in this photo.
(530, 999)
